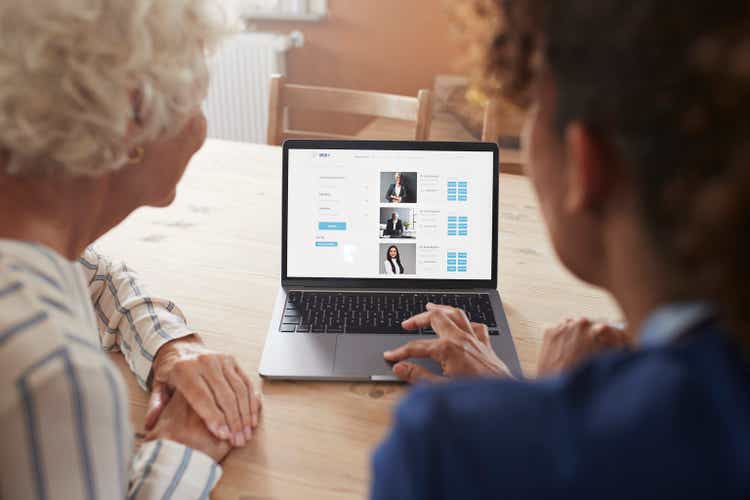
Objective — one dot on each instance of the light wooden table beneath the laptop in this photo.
(216, 252)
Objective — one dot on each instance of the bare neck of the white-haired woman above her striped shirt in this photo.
(63, 214)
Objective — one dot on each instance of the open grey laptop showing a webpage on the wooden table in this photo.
(371, 232)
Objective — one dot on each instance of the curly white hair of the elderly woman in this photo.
(74, 74)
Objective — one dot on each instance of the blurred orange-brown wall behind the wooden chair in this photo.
(396, 46)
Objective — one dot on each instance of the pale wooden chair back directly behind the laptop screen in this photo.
(285, 96)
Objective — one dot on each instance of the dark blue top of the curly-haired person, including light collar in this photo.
(669, 420)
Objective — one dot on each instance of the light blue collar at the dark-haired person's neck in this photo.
(669, 322)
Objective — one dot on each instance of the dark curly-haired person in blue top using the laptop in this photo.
(638, 149)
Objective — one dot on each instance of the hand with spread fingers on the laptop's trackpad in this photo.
(462, 348)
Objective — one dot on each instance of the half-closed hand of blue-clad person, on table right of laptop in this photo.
(575, 340)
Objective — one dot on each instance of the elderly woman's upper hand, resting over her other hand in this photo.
(213, 385)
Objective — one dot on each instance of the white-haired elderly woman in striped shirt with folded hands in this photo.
(99, 115)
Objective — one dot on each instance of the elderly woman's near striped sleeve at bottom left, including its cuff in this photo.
(78, 442)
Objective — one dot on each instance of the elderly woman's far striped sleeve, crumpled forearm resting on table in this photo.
(128, 317)
